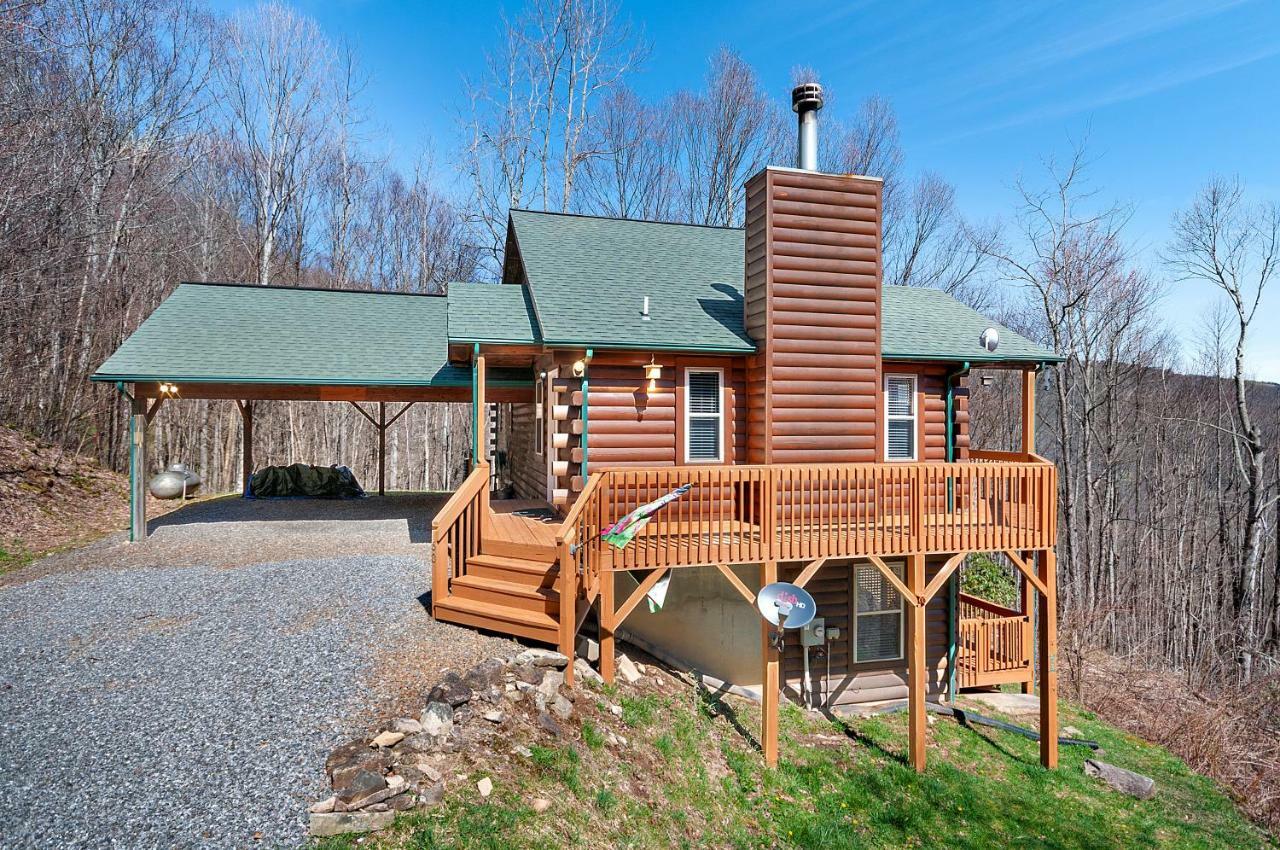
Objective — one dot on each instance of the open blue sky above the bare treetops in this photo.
(1168, 92)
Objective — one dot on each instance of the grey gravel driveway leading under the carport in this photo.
(145, 705)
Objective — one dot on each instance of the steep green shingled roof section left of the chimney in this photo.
(589, 277)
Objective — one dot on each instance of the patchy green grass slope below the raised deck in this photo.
(692, 778)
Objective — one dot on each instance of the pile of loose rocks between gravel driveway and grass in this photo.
(404, 765)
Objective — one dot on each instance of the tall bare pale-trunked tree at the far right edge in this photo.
(1223, 241)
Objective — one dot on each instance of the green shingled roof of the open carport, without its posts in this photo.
(249, 335)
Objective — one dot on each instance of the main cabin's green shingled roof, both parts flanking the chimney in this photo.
(588, 277)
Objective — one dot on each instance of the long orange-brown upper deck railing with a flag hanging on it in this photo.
(781, 513)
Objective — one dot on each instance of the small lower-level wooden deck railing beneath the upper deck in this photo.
(994, 645)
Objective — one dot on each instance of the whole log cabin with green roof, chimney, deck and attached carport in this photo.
(820, 417)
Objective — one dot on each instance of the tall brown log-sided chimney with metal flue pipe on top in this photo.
(813, 307)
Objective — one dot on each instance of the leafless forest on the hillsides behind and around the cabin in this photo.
(154, 141)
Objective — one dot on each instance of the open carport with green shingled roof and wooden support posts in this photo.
(381, 353)
